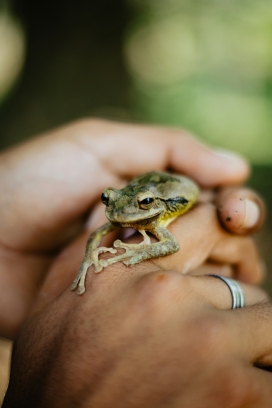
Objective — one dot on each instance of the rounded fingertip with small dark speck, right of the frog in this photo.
(240, 210)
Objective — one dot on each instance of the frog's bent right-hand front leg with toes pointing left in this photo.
(139, 252)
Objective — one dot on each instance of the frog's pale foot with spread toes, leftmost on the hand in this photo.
(79, 281)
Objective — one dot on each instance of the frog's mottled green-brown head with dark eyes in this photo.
(131, 206)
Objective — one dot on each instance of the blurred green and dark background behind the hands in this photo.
(204, 65)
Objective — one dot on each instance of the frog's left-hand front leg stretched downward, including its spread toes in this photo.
(91, 256)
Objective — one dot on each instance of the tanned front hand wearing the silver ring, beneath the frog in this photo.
(147, 336)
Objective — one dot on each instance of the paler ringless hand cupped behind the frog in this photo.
(49, 184)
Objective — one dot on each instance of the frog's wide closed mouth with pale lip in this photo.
(136, 218)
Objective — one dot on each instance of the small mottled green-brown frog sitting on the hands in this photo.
(148, 203)
